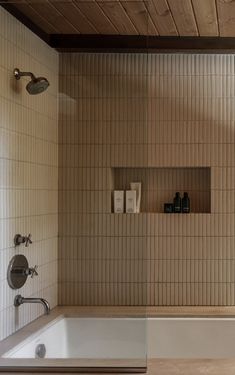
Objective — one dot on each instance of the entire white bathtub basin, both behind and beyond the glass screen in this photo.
(125, 338)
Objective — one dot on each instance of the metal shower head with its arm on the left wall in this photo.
(36, 85)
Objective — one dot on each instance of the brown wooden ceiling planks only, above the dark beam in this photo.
(131, 17)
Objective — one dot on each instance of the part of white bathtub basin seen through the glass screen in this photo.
(87, 338)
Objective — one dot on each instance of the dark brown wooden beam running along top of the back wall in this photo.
(138, 43)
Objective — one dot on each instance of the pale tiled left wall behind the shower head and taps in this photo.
(28, 170)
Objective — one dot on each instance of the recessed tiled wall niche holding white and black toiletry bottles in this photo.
(160, 184)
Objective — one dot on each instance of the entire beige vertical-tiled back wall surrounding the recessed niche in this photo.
(145, 111)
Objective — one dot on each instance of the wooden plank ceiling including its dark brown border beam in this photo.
(102, 25)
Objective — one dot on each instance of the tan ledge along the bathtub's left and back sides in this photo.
(60, 312)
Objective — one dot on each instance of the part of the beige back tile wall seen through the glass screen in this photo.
(101, 254)
